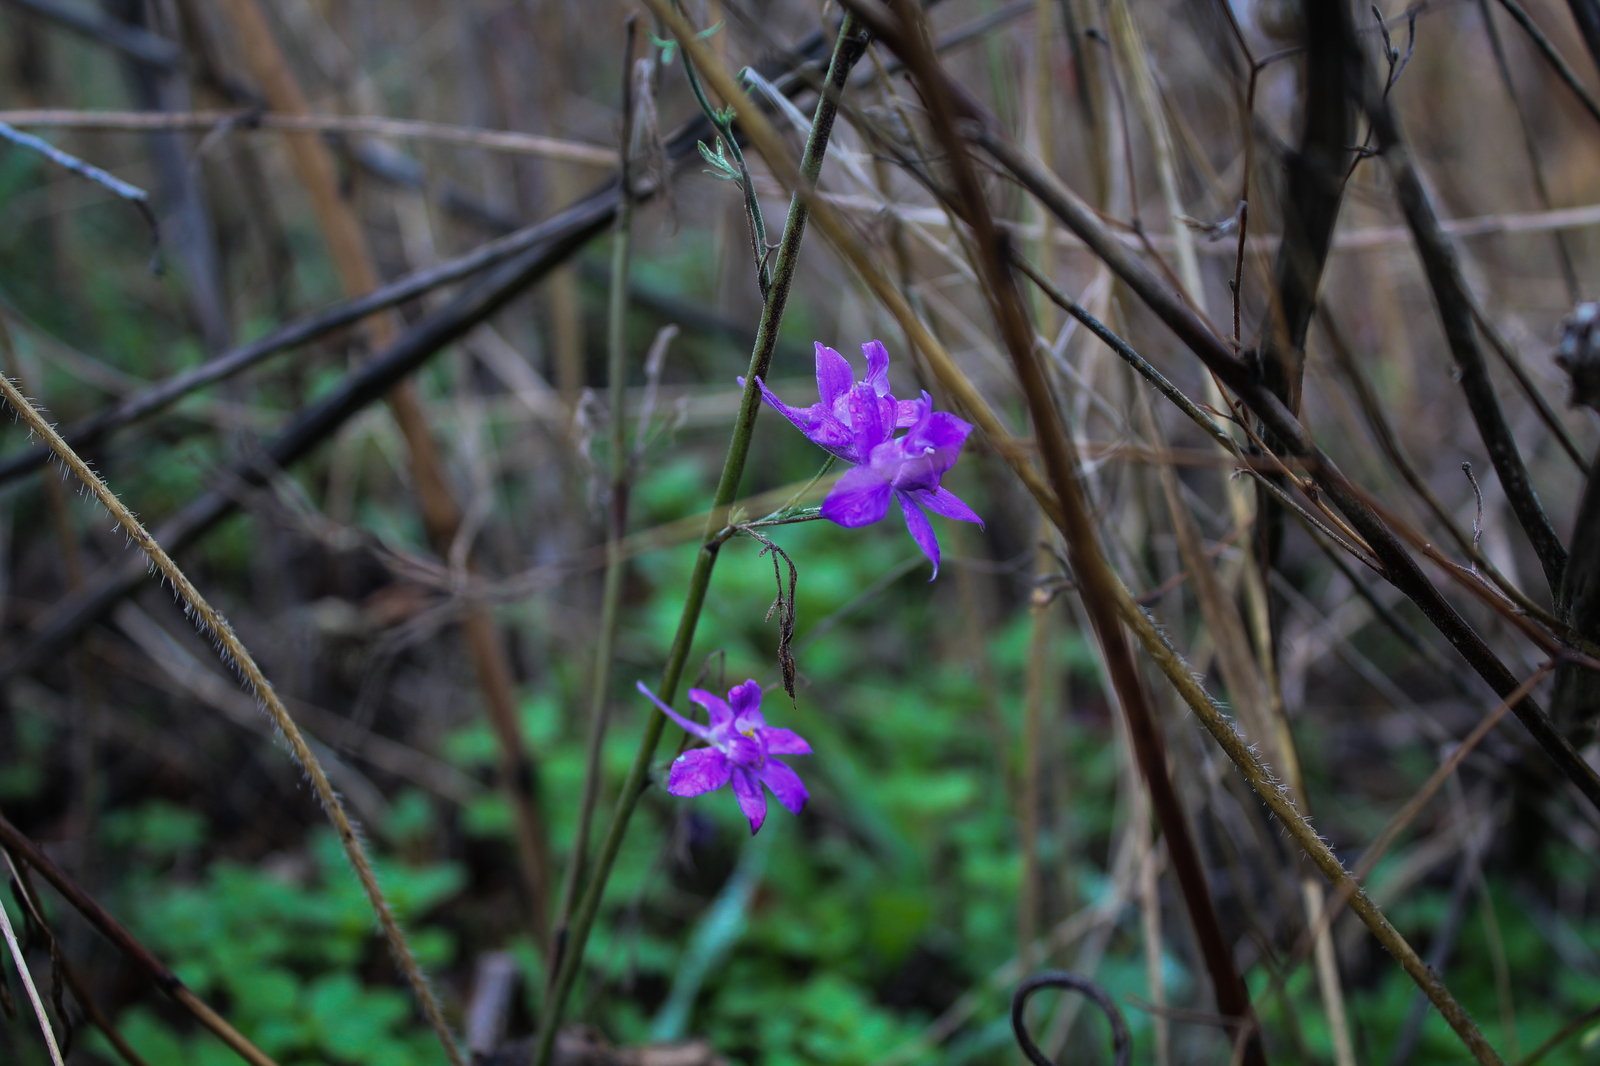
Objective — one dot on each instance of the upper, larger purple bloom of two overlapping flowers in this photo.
(857, 422)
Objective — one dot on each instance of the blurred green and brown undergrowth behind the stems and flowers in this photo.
(882, 926)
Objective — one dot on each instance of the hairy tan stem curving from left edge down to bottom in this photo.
(234, 652)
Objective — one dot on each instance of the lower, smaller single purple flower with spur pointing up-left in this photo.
(742, 748)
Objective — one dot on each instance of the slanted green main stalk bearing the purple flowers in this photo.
(847, 50)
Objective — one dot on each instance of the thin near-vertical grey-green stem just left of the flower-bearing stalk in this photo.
(615, 559)
